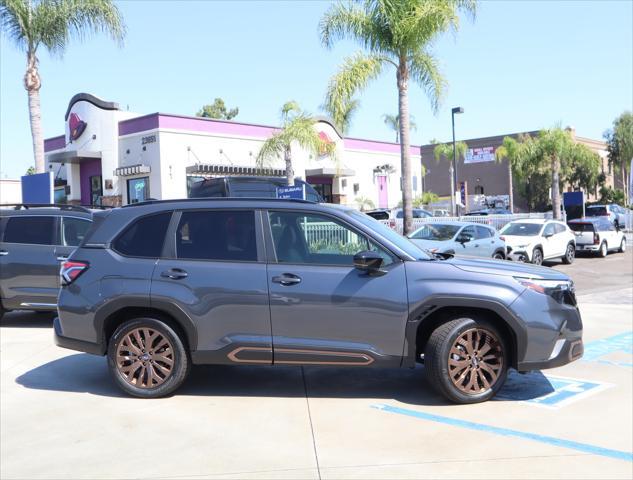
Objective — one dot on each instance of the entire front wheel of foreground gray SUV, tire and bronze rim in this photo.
(466, 360)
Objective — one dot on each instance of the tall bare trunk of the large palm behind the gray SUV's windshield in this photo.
(405, 170)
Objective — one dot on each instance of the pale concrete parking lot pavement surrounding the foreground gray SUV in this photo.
(62, 416)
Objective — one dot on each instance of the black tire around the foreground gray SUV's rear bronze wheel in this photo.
(175, 351)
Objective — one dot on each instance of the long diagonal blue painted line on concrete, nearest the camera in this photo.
(506, 432)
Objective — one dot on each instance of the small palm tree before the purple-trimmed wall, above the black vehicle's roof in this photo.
(297, 127)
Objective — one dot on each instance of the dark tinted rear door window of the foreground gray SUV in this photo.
(217, 235)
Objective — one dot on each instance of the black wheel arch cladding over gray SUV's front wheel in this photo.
(438, 310)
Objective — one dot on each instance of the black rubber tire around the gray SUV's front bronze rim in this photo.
(438, 354)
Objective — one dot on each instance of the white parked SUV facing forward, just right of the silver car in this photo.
(536, 240)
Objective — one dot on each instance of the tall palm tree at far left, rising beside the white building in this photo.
(51, 24)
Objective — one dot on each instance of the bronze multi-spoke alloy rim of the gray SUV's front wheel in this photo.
(475, 361)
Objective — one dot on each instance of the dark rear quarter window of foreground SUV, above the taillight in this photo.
(145, 237)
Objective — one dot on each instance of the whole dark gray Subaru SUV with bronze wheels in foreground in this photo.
(161, 285)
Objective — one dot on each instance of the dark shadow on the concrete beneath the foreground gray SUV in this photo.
(83, 373)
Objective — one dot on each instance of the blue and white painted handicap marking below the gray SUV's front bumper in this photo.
(548, 391)
